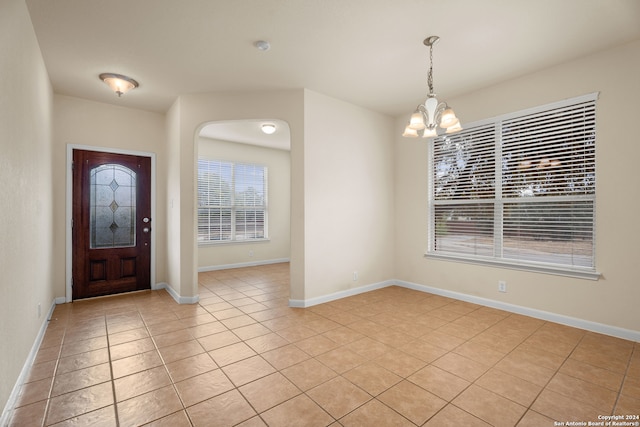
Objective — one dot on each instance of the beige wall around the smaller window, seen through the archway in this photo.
(279, 179)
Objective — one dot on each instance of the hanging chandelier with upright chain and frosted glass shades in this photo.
(432, 114)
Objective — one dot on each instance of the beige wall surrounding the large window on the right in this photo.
(612, 300)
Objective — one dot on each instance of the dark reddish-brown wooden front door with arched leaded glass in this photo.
(111, 223)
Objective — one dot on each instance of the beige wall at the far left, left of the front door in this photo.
(26, 225)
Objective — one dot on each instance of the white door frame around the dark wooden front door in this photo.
(69, 209)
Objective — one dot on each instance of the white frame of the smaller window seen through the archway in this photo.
(234, 207)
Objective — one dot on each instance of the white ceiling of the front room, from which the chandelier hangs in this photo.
(367, 52)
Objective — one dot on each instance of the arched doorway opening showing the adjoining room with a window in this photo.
(240, 223)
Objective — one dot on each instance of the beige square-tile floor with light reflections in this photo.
(391, 357)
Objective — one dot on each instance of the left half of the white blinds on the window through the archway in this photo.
(215, 184)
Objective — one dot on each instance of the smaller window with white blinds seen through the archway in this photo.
(232, 201)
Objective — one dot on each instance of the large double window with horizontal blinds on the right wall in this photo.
(518, 190)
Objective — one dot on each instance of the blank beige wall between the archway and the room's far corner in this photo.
(348, 196)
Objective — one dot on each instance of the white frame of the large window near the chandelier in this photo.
(498, 201)
